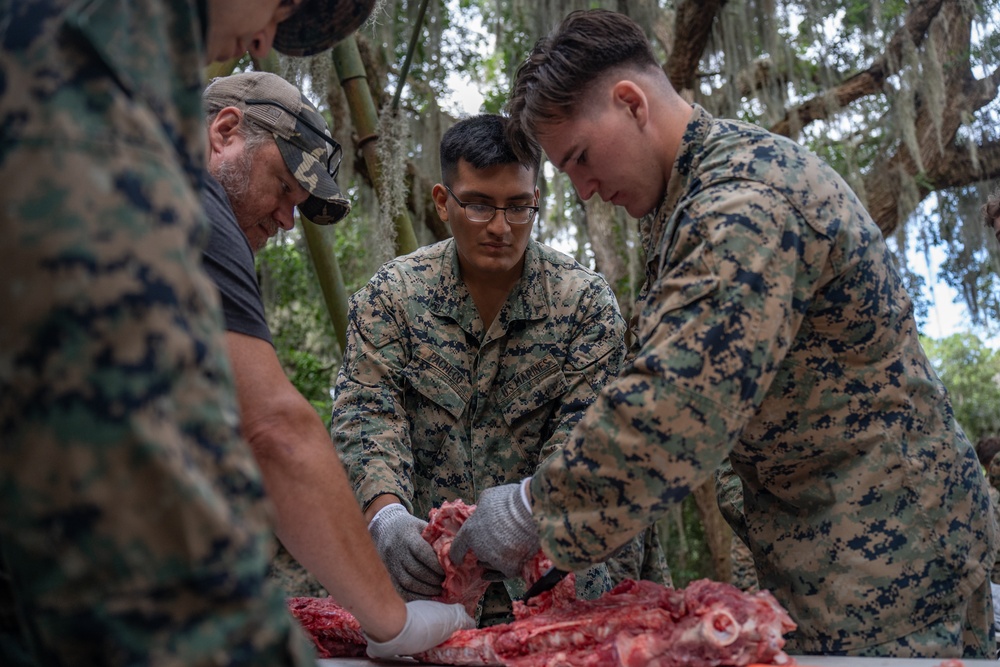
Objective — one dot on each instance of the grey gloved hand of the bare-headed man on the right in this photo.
(500, 532)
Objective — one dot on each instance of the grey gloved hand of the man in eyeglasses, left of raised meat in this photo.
(414, 567)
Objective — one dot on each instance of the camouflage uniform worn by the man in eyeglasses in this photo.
(432, 407)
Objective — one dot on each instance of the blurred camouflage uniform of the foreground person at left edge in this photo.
(133, 525)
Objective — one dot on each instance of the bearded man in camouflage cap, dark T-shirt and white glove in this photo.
(270, 152)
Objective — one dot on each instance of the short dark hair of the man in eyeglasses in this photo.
(482, 142)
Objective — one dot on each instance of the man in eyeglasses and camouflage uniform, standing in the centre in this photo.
(469, 361)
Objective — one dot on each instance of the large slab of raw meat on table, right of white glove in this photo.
(639, 623)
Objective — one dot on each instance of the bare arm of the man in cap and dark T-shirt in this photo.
(318, 518)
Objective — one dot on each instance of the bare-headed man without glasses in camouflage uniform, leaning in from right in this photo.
(778, 333)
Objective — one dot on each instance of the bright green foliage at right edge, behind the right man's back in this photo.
(971, 372)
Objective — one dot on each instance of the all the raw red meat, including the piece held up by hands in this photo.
(638, 623)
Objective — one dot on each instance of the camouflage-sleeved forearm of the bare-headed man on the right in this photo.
(586, 511)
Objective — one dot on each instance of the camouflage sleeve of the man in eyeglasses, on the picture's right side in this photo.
(593, 359)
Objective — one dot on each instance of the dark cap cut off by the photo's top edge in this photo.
(319, 24)
